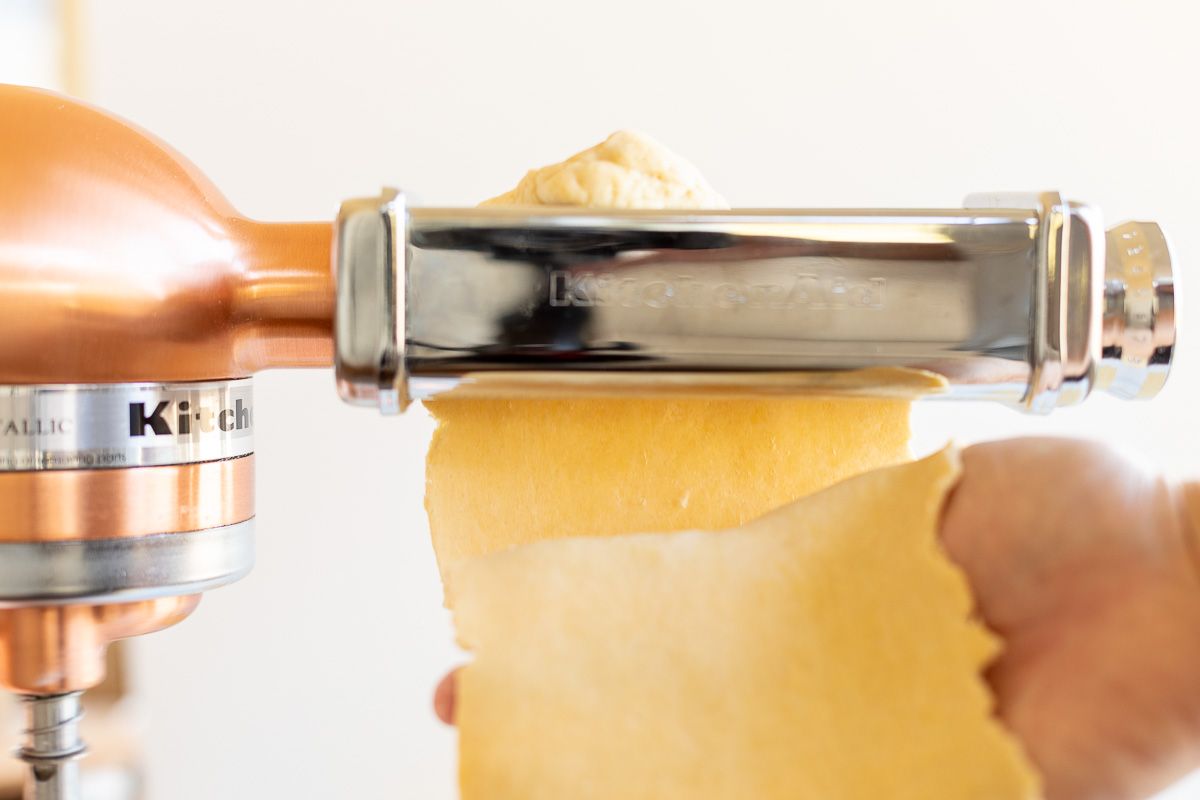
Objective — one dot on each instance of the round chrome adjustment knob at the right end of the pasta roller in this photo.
(1138, 338)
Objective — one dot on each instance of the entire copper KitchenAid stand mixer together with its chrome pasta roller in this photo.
(136, 305)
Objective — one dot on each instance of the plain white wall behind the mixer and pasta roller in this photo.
(313, 677)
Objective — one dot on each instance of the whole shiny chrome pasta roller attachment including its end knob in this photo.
(1018, 298)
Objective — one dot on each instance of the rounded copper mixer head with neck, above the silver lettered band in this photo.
(121, 262)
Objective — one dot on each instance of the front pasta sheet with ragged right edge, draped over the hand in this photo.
(825, 652)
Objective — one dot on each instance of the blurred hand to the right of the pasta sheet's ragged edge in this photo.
(1084, 564)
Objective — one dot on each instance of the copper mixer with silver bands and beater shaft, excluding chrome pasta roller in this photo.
(127, 276)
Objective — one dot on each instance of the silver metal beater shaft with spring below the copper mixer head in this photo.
(52, 747)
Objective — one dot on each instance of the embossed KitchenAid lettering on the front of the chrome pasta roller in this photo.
(802, 291)
